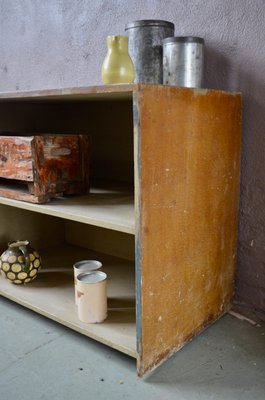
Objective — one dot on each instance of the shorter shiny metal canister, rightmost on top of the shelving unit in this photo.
(183, 59)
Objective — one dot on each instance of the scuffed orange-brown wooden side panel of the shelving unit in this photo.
(188, 182)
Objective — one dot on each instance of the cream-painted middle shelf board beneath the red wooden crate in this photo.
(107, 208)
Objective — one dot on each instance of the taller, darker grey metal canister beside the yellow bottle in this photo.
(146, 48)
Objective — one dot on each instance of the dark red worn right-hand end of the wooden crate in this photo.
(61, 164)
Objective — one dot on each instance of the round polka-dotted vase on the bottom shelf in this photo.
(20, 263)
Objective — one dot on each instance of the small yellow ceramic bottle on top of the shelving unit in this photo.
(117, 66)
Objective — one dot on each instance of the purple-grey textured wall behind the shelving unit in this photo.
(61, 43)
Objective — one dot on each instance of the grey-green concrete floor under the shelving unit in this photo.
(40, 359)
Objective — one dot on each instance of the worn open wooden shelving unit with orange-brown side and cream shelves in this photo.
(161, 214)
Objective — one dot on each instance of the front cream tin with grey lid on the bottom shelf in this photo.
(92, 297)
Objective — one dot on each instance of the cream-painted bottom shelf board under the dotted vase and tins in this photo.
(52, 295)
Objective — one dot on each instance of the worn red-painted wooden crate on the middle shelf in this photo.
(37, 168)
